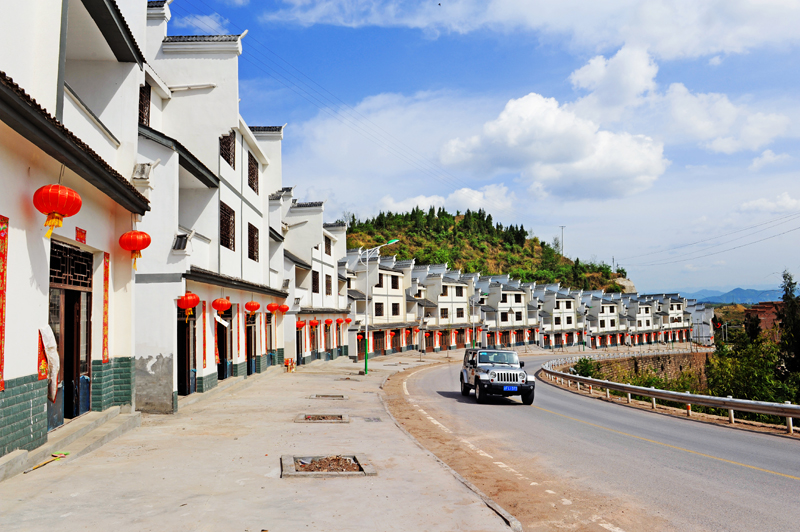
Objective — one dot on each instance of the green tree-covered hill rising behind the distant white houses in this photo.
(472, 242)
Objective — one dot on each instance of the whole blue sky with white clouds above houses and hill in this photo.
(662, 134)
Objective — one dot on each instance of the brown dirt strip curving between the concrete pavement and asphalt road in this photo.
(538, 498)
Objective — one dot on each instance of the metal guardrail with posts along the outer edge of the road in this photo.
(786, 410)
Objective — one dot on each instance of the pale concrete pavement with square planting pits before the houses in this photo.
(215, 465)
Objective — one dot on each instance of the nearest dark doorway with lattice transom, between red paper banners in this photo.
(70, 317)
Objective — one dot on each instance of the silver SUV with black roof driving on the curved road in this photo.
(495, 372)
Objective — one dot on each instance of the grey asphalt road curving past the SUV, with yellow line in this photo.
(697, 476)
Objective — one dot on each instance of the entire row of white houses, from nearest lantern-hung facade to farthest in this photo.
(149, 248)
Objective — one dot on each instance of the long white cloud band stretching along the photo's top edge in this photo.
(669, 28)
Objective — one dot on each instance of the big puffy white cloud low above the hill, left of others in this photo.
(558, 152)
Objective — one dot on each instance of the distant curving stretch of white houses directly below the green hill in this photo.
(433, 308)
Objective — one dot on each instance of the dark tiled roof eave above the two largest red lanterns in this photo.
(34, 123)
